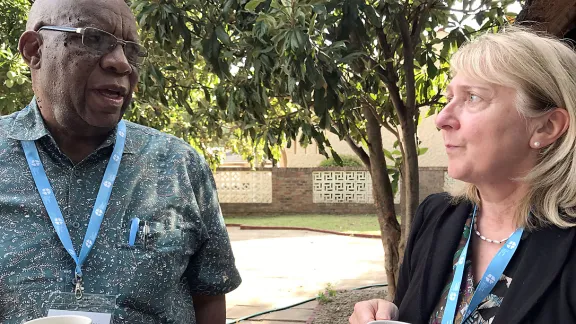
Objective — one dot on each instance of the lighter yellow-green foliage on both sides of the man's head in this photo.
(181, 110)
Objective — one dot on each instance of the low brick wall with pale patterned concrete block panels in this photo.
(279, 191)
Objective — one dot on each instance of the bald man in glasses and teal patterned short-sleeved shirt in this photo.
(99, 216)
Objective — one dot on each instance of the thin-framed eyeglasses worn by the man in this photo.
(104, 42)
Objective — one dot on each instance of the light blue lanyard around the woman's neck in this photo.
(489, 280)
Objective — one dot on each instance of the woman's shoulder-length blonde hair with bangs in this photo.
(542, 69)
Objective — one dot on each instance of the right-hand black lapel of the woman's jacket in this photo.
(542, 262)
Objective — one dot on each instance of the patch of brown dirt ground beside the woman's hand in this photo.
(341, 306)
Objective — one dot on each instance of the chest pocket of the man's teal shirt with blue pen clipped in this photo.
(155, 264)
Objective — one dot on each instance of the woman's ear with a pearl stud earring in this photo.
(550, 127)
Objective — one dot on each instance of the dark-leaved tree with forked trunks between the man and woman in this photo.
(291, 69)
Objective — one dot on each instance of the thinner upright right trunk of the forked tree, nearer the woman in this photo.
(410, 178)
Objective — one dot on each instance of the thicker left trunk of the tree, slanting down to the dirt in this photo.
(384, 201)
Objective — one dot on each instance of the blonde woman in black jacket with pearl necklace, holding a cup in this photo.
(503, 251)
